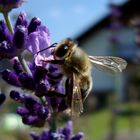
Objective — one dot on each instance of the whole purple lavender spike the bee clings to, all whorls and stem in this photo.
(43, 88)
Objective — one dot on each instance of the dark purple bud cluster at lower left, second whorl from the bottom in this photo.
(33, 112)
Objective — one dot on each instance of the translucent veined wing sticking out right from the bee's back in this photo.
(108, 64)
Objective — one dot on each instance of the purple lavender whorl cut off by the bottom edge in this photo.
(61, 134)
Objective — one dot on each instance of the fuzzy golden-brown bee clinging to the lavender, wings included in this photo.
(77, 66)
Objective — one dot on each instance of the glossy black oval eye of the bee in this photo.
(62, 51)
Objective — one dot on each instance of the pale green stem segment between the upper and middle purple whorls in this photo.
(24, 64)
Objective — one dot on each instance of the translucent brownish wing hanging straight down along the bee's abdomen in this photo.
(77, 103)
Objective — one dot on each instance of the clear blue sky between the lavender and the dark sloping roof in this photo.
(67, 18)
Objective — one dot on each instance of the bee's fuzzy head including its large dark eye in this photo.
(64, 49)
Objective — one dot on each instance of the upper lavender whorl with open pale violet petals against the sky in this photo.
(32, 36)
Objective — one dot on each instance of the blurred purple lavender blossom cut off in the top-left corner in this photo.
(7, 5)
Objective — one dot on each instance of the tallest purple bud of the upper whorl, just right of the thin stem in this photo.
(21, 20)
